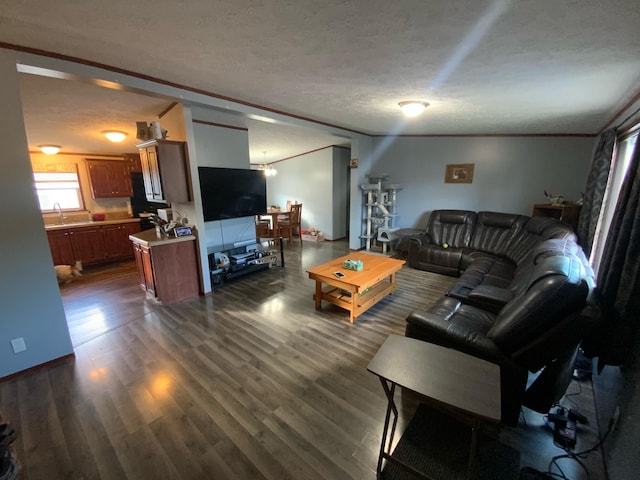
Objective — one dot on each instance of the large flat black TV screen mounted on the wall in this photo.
(232, 192)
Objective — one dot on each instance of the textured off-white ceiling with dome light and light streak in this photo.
(485, 66)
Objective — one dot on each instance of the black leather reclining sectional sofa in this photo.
(523, 299)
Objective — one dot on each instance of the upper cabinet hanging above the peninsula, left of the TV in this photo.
(164, 170)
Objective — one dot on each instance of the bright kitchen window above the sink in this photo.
(62, 188)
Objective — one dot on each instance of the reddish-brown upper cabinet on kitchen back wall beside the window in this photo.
(110, 178)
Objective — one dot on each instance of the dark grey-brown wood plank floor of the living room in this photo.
(250, 382)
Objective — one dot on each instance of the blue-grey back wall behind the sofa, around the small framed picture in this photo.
(511, 173)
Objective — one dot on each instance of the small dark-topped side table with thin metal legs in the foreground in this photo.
(446, 376)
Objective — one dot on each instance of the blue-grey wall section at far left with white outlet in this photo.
(30, 303)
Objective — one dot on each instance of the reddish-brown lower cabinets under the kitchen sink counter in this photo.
(92, 244)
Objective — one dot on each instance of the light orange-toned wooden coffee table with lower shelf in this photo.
(355, 291)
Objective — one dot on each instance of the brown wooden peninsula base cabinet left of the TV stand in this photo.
(167, 265)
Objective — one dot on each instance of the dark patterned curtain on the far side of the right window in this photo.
(595, 189)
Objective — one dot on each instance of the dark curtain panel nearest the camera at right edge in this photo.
(615, 341)
